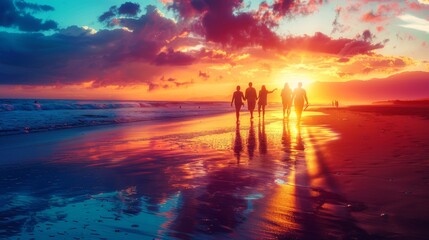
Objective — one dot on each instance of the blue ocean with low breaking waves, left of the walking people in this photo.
(21, 116)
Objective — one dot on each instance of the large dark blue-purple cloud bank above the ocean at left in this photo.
(77, 54)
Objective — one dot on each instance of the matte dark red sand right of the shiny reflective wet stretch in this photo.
(382, 161)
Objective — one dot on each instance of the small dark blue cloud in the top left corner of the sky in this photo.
(15, 16)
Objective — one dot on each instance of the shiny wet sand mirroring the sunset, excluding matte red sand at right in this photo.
(180, 185)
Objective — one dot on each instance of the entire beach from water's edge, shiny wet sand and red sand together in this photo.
(342, 175)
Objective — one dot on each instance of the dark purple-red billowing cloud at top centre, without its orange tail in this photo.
(221, 23)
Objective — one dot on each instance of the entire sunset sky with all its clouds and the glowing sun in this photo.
(201, 49)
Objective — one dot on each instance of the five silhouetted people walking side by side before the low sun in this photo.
(298, 96)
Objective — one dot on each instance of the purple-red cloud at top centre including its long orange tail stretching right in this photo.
(222, 21)
